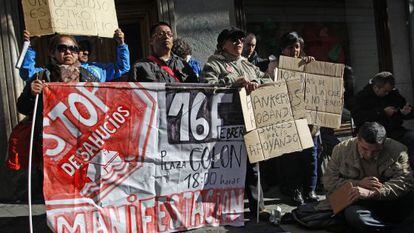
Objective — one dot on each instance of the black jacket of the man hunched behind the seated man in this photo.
(367, 106)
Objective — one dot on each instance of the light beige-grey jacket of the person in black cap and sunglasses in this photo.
(224, 69)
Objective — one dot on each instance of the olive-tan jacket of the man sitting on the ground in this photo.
(396, 174)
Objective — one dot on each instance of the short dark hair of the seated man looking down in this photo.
(372, 133)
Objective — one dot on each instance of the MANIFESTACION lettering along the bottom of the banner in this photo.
(182, 211)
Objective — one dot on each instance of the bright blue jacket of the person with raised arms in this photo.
(104, 71)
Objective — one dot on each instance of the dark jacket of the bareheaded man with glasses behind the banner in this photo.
(146, 70)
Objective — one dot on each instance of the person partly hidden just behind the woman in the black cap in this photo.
(250, 53)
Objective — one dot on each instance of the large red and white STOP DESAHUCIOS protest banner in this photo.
(142, 157)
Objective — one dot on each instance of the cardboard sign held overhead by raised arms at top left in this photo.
(89, 18)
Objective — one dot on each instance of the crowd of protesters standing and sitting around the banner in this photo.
(377, 162)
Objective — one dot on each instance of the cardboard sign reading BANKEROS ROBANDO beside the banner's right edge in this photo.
(273, 127)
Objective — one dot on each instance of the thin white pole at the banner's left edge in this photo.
(29, 189)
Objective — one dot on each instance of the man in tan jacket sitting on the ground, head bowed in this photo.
(382, 180)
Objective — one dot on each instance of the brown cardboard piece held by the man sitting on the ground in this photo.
(340, 199)
